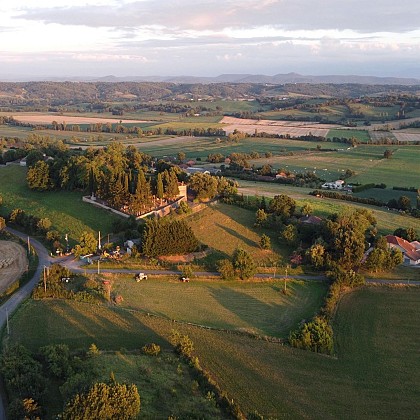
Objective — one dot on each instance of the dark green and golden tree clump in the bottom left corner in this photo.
(26, 375)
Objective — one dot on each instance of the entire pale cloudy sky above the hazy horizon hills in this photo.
(95, 38)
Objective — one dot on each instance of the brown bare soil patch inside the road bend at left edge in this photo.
(13, 263)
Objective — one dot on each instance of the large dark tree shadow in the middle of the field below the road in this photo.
(258, 317)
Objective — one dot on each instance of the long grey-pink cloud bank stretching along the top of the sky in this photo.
(358, 15)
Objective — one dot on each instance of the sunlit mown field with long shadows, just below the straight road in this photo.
(259, 308)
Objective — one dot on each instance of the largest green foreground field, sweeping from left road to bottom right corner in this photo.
(376, 373)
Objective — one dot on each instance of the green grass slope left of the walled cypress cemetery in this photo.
(65, 209)
